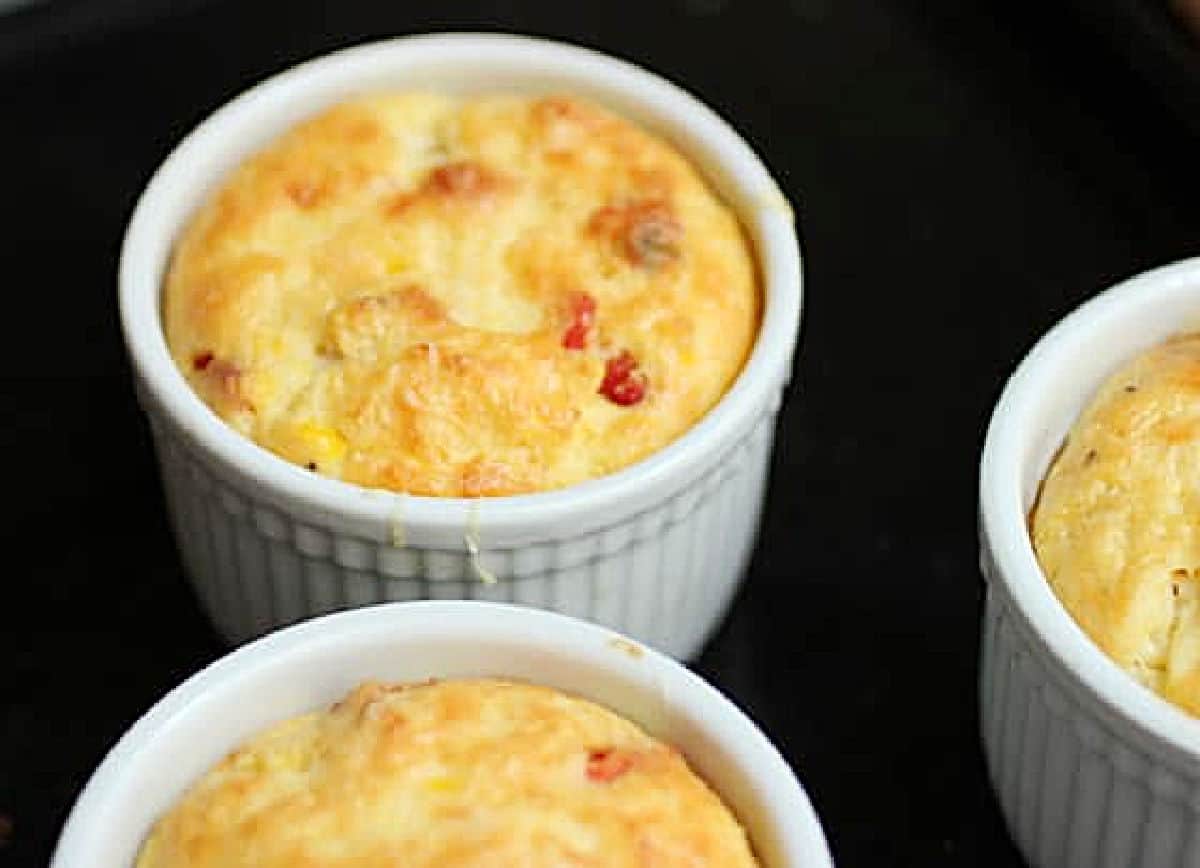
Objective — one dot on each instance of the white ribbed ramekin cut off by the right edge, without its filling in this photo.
(1091, 769)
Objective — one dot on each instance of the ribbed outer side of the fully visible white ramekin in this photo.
(664, 577)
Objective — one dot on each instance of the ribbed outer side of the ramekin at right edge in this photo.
(1073, 783)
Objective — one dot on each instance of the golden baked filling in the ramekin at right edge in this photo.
(1118, 524)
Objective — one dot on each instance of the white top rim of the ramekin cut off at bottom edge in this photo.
(551, 630)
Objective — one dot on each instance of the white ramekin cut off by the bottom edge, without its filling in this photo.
(310, 666)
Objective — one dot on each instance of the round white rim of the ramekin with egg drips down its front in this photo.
(767, 368)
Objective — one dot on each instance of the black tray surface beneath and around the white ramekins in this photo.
(964, 175)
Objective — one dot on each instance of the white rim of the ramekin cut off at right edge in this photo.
(1006, 531)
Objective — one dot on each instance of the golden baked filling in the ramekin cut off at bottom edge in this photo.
(452, 775)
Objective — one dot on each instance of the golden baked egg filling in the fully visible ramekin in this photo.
(464, 297)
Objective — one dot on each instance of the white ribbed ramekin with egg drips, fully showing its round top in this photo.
(656, 550)
